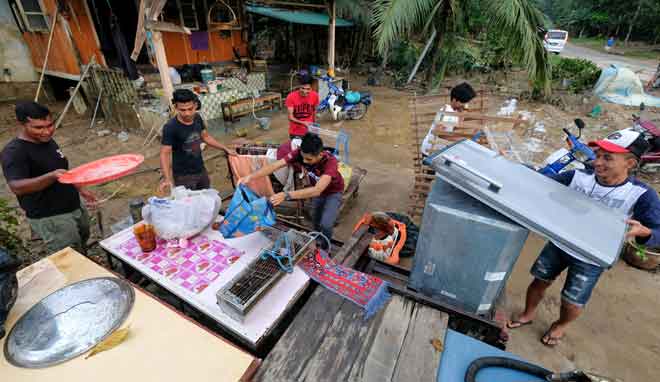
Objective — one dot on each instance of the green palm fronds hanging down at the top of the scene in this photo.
(516, 21)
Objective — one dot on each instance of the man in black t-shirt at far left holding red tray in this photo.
(31, 163)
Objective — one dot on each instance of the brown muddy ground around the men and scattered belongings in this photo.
(617, 335)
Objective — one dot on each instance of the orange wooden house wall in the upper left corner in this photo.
(73, 38)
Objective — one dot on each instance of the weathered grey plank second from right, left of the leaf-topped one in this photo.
(377, 361)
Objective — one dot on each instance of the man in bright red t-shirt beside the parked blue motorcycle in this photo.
(301, 105)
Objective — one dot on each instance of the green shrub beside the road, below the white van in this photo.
(582, 74)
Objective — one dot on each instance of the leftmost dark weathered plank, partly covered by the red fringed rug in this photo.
(307, 331)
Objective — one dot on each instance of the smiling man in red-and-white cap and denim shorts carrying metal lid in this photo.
(611, 184)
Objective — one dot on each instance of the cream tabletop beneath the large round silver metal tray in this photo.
(162, 345)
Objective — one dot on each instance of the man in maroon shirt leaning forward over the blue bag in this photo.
(327, 184)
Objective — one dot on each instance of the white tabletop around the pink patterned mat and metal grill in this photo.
(262, 319)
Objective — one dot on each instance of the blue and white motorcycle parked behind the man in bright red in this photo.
(344, 104)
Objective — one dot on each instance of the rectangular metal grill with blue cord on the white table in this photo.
(240, 294)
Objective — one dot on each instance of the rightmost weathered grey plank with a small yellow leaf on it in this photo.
(419, 359)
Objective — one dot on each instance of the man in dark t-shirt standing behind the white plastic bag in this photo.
(181, 159)
